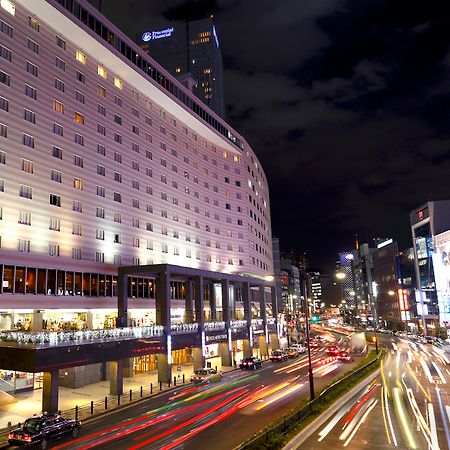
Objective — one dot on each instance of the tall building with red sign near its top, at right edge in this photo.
(428, 221)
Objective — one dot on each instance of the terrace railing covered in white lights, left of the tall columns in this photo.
(59, 338)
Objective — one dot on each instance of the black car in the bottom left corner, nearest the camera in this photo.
(38, 430)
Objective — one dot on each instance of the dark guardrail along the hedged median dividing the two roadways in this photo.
(294, 419)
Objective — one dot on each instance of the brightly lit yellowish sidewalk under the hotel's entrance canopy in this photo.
(29, 402)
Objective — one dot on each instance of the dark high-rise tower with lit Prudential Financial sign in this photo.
(190, 50)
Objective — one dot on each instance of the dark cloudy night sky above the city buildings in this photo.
(345, 102)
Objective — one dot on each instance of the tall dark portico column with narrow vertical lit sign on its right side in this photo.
(162, 300)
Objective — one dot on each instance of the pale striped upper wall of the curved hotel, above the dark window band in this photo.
(185, 199)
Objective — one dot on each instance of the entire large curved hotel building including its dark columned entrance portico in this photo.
(108, 162)
